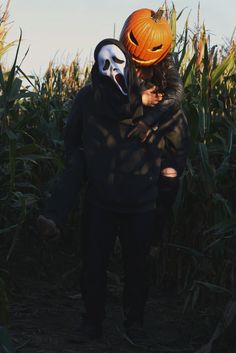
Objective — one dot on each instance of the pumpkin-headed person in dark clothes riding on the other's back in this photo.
(147, 35)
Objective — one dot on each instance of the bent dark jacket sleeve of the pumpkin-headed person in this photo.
(173, 96)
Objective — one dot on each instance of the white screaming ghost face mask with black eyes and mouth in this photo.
(112, 63)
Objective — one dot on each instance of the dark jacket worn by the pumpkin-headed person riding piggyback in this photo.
(167, 116)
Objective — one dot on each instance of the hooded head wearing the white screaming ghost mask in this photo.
(113, 76)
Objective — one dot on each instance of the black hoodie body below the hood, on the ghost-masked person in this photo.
(121, 173)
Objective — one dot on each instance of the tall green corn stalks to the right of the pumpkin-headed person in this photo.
(203, 235)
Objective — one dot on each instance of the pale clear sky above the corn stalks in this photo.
(59, 29)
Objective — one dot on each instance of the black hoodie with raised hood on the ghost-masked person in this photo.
(121, 173)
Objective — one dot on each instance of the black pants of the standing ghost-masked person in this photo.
(135, 232)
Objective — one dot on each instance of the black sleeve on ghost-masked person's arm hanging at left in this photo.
(65, 194)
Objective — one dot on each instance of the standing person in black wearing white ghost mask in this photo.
(120, 177)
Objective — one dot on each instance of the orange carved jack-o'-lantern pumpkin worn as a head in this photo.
(147, 39)
